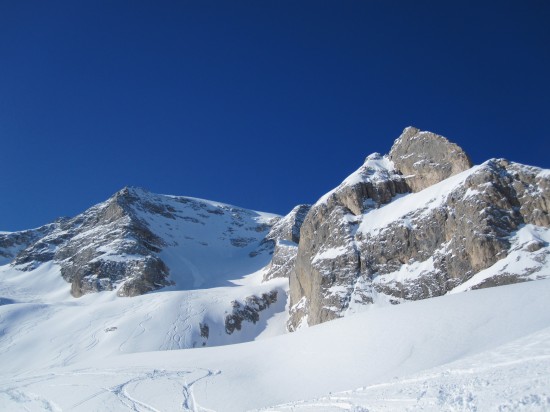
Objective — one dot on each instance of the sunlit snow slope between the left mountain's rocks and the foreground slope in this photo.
(56, 329)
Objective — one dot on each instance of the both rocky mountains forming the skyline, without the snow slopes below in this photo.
(354, 245)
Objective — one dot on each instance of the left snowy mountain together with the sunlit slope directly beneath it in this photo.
(215, 257)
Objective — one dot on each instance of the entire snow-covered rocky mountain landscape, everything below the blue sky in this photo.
(96, 301)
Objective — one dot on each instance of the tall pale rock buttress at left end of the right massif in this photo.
(329, 227)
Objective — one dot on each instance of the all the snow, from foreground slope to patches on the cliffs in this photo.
(486, 349)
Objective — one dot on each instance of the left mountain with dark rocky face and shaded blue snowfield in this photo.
(122, 243)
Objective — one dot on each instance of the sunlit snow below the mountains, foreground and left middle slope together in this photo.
(482, 348)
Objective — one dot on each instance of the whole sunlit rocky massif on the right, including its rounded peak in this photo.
(419, 223)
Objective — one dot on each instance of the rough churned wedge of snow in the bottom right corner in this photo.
(513, 376)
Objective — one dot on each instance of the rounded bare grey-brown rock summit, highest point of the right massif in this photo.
(425, 158)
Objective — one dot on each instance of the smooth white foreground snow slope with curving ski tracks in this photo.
(475, 349)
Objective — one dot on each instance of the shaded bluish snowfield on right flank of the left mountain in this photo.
(200, 252)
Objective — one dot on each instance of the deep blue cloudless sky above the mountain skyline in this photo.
(262, 104)
